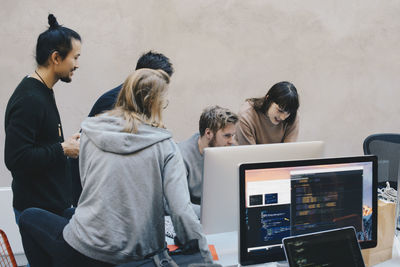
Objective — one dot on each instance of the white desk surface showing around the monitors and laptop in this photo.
(226, 245)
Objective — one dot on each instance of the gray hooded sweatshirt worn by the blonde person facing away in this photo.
(125, 179)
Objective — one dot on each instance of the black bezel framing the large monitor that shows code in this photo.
(246, 258)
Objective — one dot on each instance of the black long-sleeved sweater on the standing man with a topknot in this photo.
(33, 151)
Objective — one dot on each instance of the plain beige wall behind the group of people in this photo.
(342, 55)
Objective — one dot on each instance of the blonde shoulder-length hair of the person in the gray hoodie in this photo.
(141, 99)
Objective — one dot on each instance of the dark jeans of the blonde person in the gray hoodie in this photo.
(44, 244)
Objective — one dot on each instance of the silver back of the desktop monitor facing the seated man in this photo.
(220, 195)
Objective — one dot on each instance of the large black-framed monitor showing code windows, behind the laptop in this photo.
(281, 199)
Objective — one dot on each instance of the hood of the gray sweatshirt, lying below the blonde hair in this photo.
(106, 133)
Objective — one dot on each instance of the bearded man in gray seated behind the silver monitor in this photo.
(216, 128)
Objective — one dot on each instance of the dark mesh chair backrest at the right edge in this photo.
(386, 146)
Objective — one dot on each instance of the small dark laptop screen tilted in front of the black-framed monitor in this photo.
(329, 248)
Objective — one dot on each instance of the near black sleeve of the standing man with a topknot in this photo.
(22, 128)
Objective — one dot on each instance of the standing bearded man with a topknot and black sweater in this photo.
(35, 149)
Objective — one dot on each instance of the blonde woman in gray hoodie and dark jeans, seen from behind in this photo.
(131, 170)
